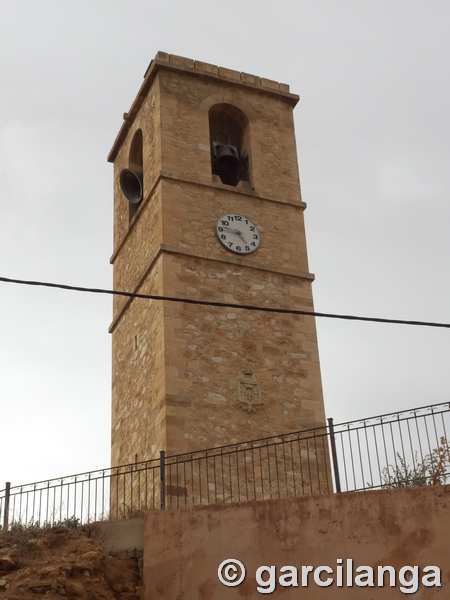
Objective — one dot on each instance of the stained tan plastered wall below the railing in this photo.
(183, 548)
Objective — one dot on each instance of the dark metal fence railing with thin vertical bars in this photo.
(392, 450)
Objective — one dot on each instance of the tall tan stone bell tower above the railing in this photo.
(207, 206)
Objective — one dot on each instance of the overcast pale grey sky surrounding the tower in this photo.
(373, 133)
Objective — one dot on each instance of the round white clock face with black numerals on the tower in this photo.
(237, 233)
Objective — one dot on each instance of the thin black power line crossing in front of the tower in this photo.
(289, 311)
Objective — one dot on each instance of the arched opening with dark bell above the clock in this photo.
(229, 139)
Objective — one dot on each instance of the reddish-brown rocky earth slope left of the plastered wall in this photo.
(58, 562)
